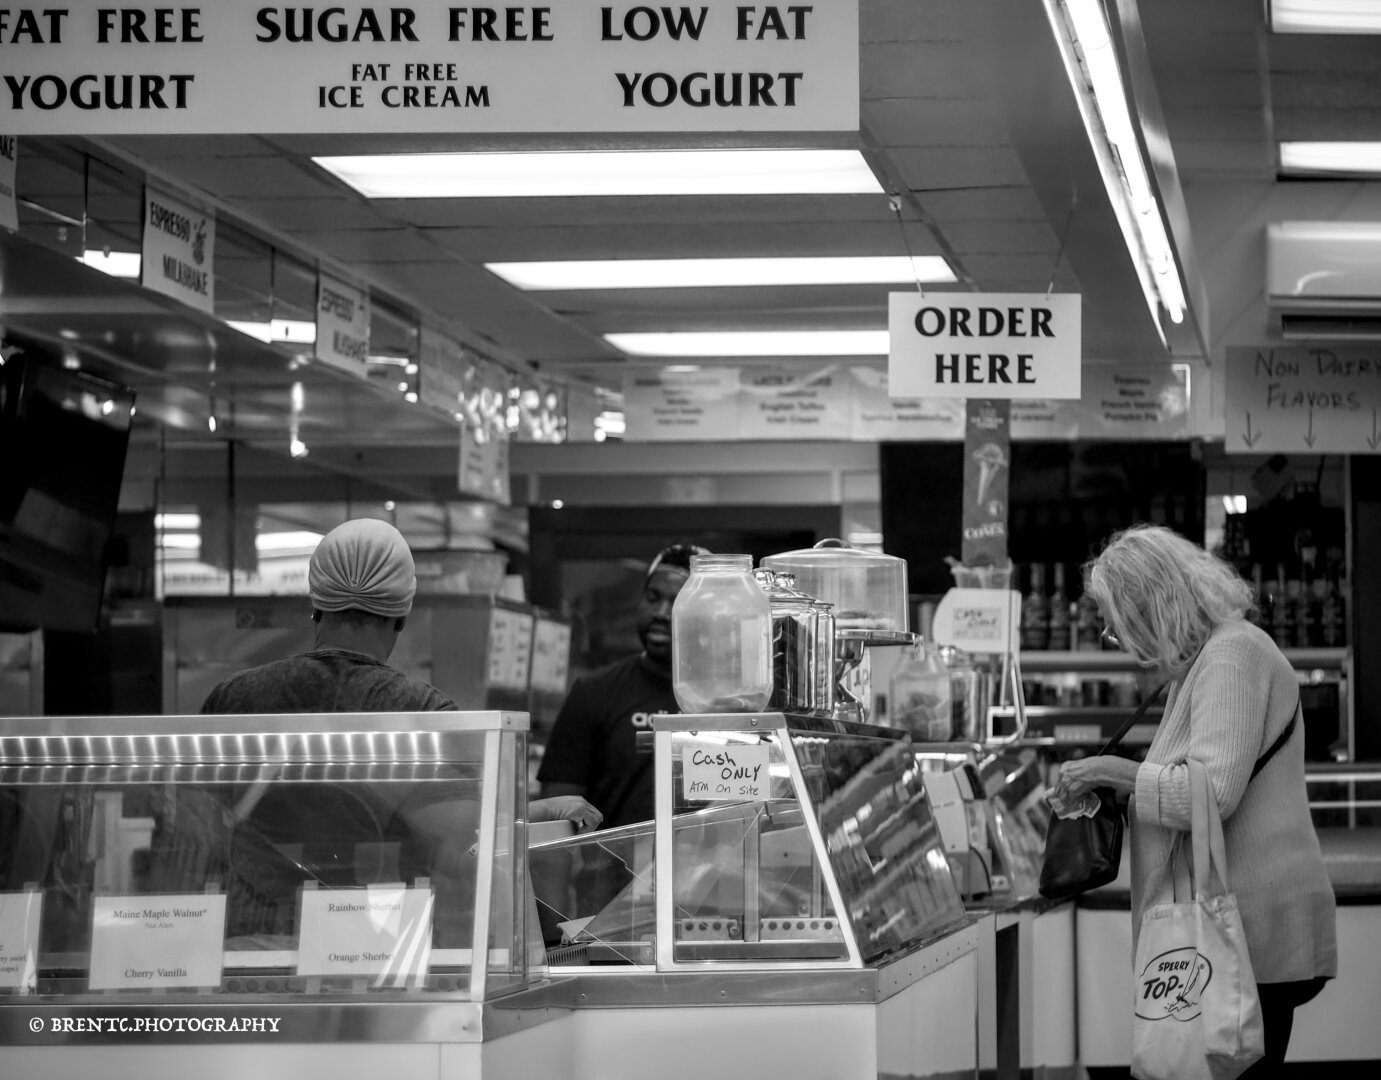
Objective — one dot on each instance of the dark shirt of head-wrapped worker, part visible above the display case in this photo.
(325, 682)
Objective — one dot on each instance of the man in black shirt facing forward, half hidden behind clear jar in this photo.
(593, 746)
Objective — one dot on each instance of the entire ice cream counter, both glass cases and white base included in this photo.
(298, 894)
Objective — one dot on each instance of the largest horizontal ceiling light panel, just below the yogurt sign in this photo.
(509, 176)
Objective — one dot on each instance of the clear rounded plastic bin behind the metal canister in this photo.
(867, 589)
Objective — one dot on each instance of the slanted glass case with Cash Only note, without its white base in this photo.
(781, 840)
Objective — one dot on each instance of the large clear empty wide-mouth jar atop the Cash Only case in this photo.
(722, 639)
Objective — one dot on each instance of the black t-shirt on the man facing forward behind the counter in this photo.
(593, 742)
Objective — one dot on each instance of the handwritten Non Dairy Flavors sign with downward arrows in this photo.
(1303, 400)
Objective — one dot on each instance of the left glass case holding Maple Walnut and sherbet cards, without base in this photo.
(350, 857)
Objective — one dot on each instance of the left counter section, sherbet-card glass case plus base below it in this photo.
(340, 894)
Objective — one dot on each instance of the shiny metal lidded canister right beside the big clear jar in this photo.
(803, 647)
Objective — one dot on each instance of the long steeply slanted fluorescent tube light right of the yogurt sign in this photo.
(1092, 64)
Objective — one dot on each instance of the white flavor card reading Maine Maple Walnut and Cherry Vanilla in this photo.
(158, 941)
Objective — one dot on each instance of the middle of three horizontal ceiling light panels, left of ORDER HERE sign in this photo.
(722, 273)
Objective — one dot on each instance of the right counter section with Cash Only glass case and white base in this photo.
(795, 885)
